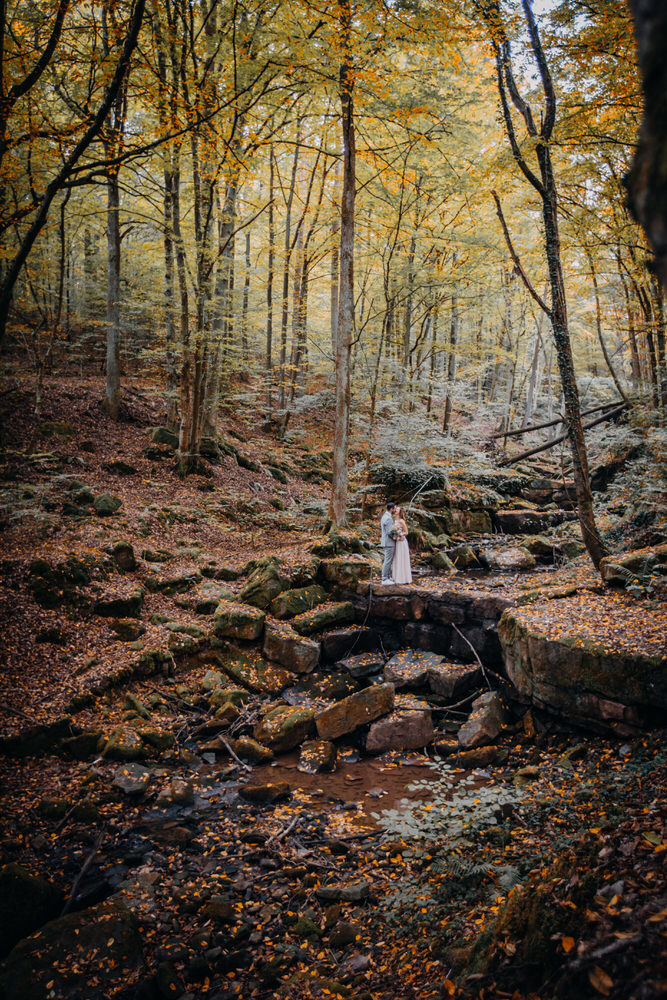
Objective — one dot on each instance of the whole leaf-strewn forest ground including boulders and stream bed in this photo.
(235, 765)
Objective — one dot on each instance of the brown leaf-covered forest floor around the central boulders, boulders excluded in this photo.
(558, 889)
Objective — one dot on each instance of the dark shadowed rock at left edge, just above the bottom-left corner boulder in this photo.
(26, 902)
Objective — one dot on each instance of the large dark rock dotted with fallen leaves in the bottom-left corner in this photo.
(91, 954)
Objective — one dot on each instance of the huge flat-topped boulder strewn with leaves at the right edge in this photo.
(611, 686)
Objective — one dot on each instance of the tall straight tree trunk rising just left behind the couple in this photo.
(338, 503)
